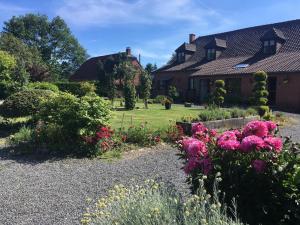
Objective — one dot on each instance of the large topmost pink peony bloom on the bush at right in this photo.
(257, 128)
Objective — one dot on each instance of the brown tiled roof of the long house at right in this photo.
(244, 46)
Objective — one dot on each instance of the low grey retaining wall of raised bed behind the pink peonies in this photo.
(217, 124)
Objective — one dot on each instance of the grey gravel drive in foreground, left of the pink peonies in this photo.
(41, 193)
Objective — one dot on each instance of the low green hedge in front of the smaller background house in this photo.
(76, 88)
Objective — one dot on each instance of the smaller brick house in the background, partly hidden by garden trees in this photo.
(89, 70)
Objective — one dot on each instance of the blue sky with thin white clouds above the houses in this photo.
(152, 28)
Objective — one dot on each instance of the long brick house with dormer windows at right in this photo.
(234, 56)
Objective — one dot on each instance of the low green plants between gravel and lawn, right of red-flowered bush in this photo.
(140, 135)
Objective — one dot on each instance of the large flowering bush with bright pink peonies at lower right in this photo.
(257, 168)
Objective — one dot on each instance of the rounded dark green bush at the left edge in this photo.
(24, 103)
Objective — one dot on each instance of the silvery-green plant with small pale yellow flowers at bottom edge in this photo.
(156, 203)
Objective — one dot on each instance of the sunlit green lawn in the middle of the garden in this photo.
(156, 116)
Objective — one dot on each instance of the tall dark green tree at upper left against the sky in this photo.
(59, 49)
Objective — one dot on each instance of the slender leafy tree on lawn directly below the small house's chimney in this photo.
(129, 87)
